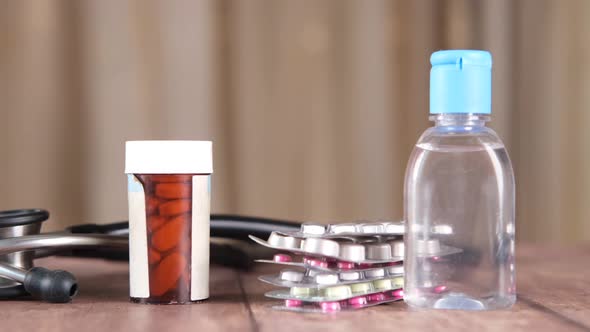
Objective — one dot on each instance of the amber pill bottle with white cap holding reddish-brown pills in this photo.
(169, 185)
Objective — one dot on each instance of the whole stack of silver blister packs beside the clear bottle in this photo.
(337, 267)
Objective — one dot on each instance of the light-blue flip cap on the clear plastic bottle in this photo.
(461, 82)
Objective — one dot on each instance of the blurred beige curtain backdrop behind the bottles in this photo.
(313, 106)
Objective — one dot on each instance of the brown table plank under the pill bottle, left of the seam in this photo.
(103, 305)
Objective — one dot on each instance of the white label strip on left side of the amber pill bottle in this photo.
(139, 286)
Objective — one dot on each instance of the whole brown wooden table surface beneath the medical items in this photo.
(553, 295)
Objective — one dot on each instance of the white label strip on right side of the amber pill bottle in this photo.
(200, 237)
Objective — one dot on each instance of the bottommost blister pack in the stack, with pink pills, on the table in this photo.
(353, 303)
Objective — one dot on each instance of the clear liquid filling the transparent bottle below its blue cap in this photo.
(463, 183)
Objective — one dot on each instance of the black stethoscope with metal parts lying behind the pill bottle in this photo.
(21, 242)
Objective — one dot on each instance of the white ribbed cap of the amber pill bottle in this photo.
(168, 157)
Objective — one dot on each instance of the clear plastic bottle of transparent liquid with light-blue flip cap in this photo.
(460, 196)
